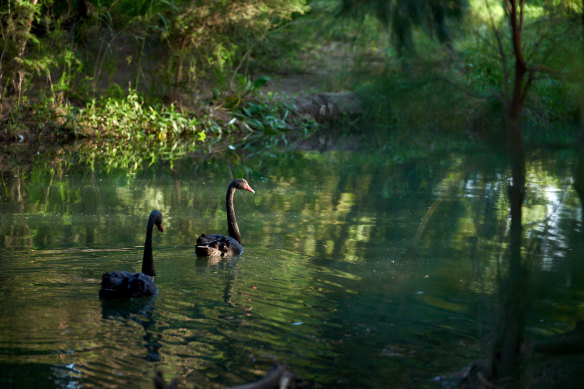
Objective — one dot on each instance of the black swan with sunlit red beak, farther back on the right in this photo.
(221, 245)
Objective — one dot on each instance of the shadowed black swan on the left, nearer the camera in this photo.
(124, 284)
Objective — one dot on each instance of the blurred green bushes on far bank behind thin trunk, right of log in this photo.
(462, 94)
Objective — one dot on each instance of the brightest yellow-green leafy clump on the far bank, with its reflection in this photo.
(130, 134)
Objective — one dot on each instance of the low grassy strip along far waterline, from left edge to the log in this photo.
(131, 133)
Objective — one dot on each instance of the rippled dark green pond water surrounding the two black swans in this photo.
(358, 271)
